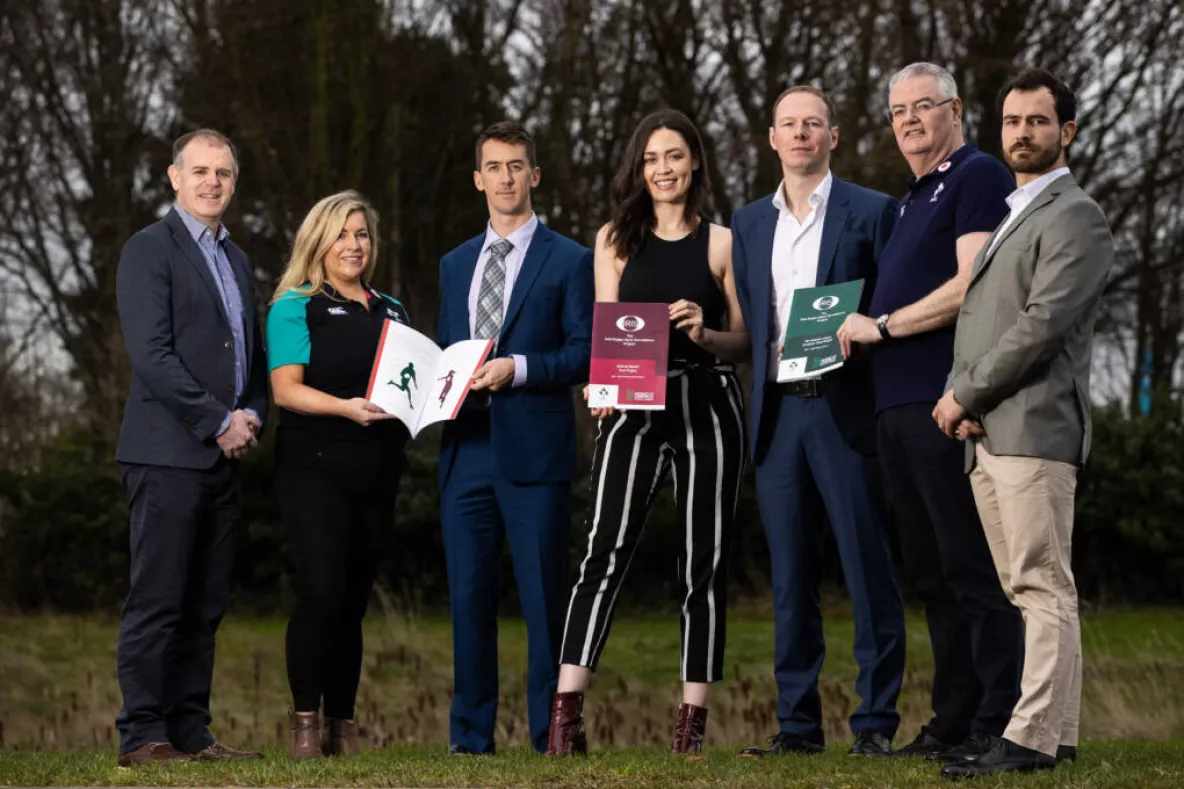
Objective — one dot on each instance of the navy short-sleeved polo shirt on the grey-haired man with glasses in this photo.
(964, 195)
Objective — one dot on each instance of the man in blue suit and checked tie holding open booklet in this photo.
(507, 461)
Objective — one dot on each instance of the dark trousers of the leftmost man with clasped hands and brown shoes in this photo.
(184, 528)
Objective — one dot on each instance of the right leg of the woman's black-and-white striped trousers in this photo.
(709, 463)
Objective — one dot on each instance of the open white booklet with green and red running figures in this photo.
(417, 382)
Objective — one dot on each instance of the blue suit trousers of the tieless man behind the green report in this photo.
(809, 476)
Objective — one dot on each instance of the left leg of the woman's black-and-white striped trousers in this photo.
(628, 466)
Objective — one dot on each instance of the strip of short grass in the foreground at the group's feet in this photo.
(1103, 766)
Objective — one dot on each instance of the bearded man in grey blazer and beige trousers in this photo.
(1020, 392)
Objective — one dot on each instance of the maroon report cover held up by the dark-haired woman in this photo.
(630, 343)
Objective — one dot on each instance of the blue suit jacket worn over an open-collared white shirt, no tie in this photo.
(857, 229)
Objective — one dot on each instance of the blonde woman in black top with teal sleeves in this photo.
(338, 459)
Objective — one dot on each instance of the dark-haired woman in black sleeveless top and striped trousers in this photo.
(659, 248)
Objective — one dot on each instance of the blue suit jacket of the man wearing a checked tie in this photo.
(549, 320)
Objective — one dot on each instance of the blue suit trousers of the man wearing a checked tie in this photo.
(480, 510)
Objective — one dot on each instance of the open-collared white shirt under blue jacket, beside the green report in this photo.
(796, 248)
